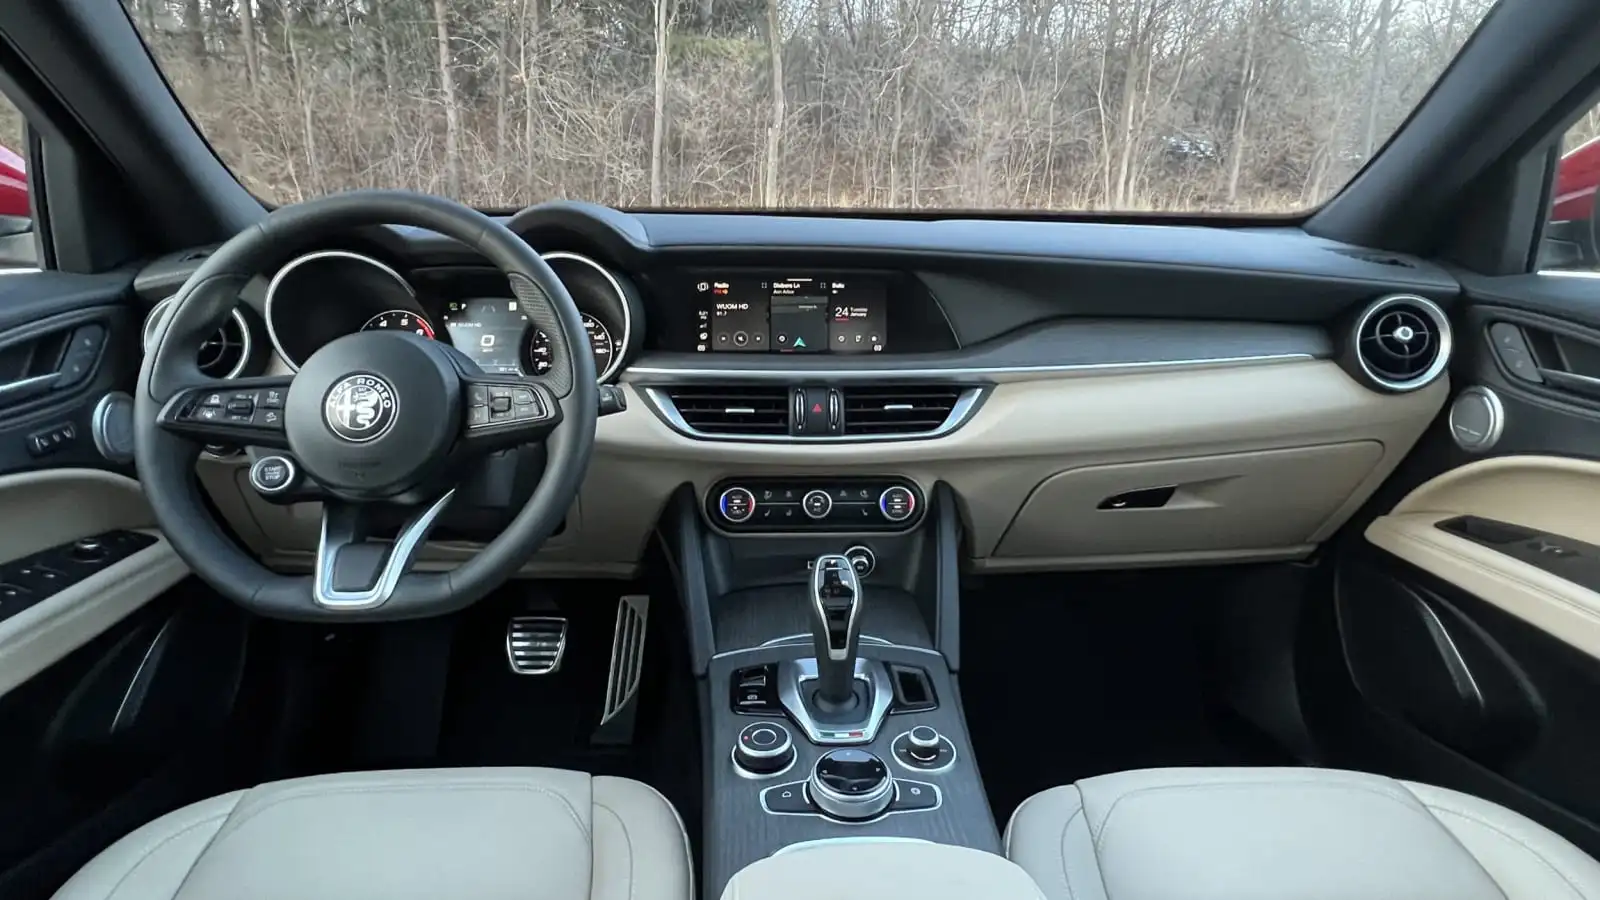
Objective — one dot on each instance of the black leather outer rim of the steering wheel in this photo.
(166, 460)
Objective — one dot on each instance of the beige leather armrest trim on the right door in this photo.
(1551, 494)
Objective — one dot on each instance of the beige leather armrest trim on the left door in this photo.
(55, 507)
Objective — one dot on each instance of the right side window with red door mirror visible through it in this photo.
(1572, 238)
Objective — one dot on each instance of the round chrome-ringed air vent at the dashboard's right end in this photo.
(1402, 342)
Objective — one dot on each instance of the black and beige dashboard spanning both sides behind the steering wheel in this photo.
(1087, 395)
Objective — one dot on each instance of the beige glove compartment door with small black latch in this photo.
(1236, 502)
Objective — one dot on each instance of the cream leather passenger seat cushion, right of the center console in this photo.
(1287, 835)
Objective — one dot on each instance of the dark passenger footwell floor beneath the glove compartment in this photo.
(1071, 677)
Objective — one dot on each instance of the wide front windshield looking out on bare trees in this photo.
(1220, 106)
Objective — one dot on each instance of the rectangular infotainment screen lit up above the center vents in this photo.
(791, 313)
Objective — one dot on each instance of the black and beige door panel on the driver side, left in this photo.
(118, 675)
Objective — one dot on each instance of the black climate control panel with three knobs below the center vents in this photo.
(815, 505)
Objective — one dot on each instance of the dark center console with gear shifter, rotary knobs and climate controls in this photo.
(828, 645)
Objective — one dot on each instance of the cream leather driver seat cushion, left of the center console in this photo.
(425, 834)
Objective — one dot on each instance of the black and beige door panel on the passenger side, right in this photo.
(1463, 643)
